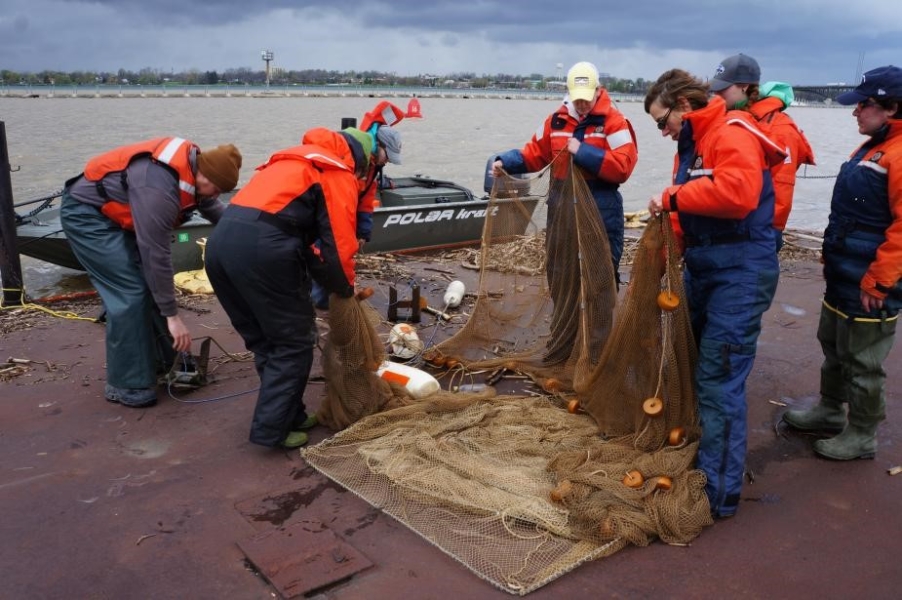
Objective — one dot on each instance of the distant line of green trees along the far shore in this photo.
(278, 76)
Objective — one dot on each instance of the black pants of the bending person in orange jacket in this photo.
(259, 276)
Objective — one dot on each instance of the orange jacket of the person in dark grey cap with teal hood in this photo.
(780, 127)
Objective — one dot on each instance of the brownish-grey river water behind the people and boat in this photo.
(50, 139)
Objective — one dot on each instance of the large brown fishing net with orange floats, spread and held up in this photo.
(525, 486)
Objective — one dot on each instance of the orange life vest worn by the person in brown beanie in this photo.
(173, 152)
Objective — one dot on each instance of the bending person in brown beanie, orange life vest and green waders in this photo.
(118, 215)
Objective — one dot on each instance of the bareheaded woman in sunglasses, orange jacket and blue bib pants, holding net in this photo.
(721, 202)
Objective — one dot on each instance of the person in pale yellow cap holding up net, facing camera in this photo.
(600, 140)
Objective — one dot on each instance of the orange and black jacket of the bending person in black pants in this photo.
(319, 174)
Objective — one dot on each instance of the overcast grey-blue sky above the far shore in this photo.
(798, 41)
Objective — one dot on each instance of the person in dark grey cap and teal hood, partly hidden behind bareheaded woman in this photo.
(737, 80)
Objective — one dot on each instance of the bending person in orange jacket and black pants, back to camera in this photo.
(294, 217)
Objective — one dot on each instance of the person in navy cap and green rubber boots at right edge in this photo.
(862, 256)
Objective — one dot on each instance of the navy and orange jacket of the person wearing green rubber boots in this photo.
(863, 238)
